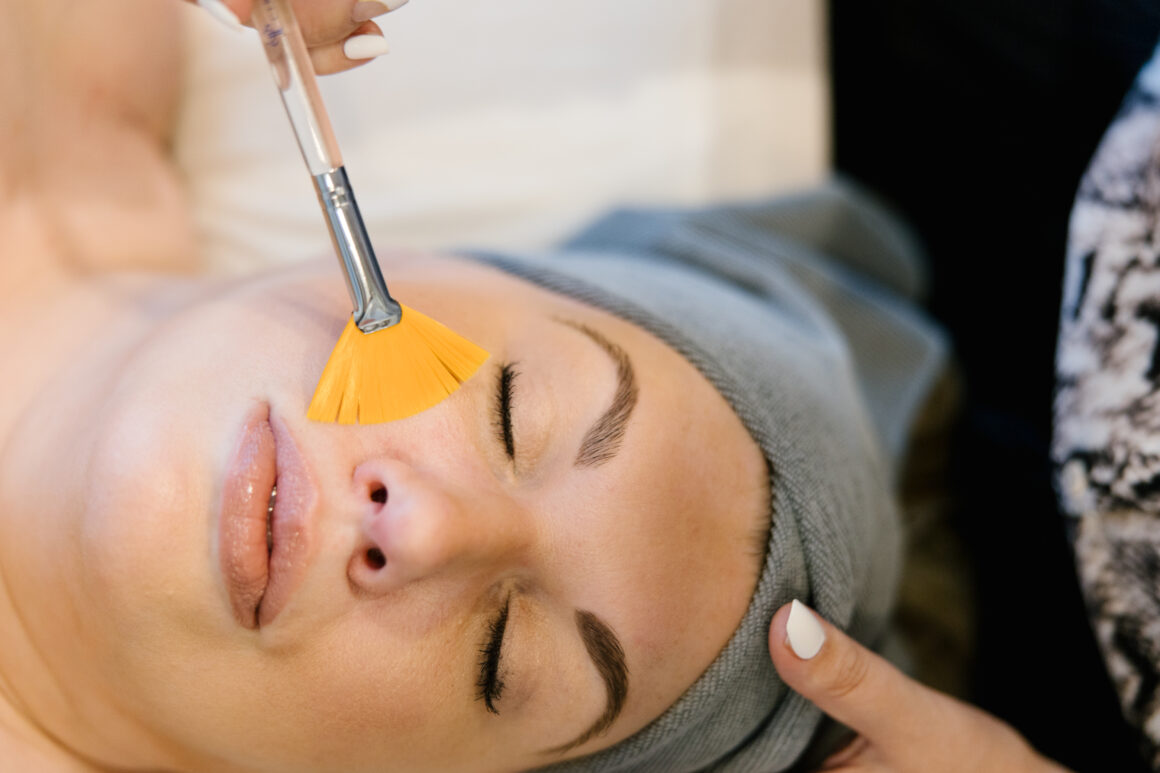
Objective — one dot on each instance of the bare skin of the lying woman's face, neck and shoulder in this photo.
(129, 381)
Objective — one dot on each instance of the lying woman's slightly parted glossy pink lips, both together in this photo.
(259, 581)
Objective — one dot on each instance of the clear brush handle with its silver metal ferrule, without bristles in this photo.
(374, 308)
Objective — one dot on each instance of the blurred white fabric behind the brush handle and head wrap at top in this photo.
(509, 124)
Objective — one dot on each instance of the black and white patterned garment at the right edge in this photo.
(1107, 440)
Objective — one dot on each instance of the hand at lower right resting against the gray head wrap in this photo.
(902, 725)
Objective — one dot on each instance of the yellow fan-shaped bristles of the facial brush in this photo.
(393, 373)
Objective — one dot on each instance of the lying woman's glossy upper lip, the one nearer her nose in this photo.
(292, 525)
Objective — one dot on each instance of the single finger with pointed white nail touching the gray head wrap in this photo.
(846, 681)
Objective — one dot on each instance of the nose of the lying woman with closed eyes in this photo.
(417, 524)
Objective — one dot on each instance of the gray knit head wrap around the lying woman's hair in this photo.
(797, 313)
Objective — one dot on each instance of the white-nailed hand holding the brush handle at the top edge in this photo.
(338, 33)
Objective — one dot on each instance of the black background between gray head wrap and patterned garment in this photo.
(976, 120)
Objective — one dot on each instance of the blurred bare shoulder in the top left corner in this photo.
(91, 98)
